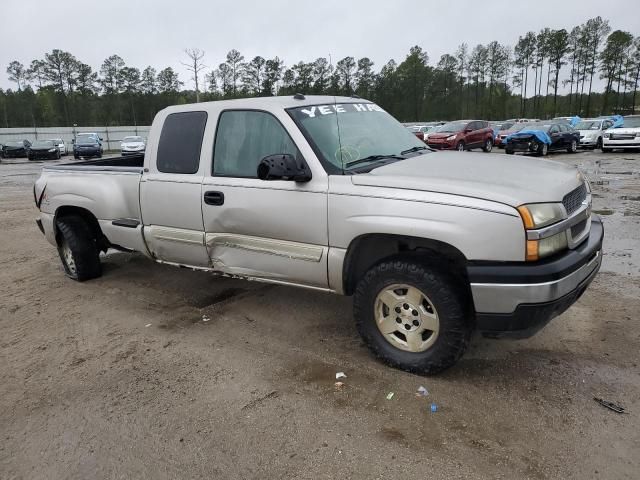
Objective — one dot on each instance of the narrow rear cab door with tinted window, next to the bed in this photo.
(171, 186)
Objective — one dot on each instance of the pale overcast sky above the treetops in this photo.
(156, 32)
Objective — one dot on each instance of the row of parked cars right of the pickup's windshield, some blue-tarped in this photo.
(533, 136)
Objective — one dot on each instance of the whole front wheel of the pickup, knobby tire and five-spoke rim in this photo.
(412, 316)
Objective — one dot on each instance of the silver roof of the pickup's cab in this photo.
(267, 103)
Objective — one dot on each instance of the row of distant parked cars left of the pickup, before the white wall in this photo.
(85, 145)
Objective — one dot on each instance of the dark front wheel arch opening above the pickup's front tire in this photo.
(368, 250)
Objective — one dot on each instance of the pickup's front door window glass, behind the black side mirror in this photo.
(243, 138)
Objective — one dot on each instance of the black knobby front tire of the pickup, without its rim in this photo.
(448, 299)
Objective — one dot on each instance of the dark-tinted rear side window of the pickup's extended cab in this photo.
(181, 142)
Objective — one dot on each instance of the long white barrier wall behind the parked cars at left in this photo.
(111, 136)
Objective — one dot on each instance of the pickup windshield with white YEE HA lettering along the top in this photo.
(349, 136)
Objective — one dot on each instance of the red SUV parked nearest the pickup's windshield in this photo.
(462, 135)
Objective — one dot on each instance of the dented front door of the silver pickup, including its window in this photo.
(276, 230)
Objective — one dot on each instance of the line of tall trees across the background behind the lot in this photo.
(487, 81)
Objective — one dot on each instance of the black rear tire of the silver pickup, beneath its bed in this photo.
(76, 234)
